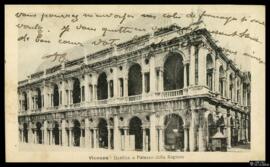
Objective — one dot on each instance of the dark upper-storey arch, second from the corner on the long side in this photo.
(135, 80)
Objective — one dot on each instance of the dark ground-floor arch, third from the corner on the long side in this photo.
(103, 133)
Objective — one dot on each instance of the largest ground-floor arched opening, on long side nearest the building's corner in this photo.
(174, 132)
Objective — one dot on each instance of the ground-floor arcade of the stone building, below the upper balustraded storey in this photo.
(161, 130)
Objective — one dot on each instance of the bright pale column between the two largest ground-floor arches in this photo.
(153, 132)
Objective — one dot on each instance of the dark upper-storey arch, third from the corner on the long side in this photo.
(102, 87)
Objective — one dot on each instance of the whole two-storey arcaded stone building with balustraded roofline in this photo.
(159, 92)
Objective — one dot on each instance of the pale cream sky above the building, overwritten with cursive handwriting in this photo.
(243, 19)
